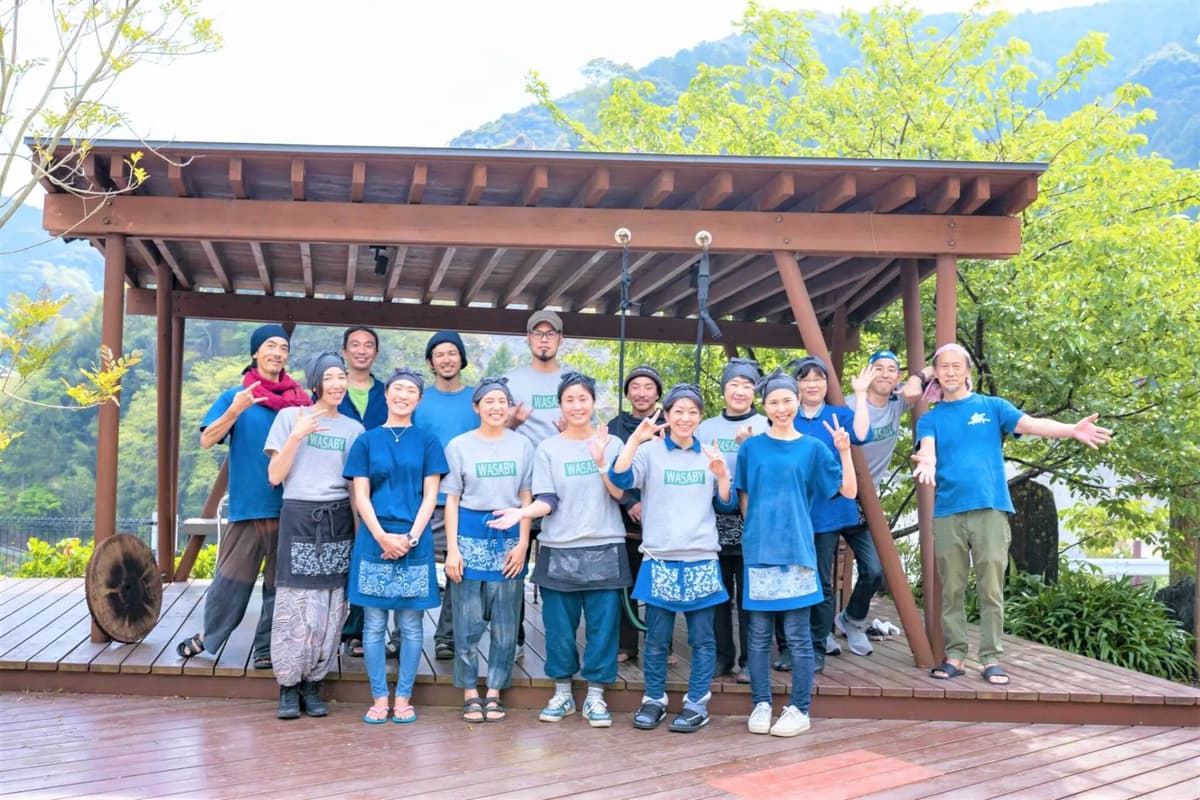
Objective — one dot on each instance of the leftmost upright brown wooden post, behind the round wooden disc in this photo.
(109, 425)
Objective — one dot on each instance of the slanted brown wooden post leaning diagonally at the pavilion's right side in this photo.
(811, 333)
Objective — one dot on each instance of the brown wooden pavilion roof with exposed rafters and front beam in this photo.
(494, 230)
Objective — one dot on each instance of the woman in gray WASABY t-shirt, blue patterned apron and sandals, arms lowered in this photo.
(490, 468)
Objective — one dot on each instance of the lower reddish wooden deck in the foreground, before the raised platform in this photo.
(56, 745)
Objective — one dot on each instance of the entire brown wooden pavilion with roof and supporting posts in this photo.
(473, 239)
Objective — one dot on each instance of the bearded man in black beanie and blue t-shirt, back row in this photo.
(446, 412)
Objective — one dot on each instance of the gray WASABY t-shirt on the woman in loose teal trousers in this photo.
(586, 515)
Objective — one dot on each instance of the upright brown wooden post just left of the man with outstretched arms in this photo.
(915, 339)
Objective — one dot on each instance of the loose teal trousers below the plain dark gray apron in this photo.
(561, 613)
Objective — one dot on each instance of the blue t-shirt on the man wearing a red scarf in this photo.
(251, 496)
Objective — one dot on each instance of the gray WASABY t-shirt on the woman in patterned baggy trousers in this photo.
(316, 473)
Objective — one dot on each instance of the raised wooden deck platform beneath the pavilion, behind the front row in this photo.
(45, 647)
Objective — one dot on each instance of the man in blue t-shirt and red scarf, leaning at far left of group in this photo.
(243, 416)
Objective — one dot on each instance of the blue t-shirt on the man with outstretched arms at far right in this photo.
(970, 466)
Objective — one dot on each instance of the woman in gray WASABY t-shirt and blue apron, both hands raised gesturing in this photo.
(681, 482)
